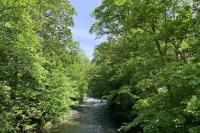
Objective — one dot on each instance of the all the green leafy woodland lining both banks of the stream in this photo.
(148, 69)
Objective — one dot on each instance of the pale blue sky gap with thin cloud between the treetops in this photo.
(83, 22)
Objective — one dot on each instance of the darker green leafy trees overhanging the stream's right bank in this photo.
(149, 68)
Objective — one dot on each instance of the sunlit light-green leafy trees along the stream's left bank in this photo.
(39, 63)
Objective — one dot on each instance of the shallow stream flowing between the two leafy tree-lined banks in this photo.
(93, 117)
